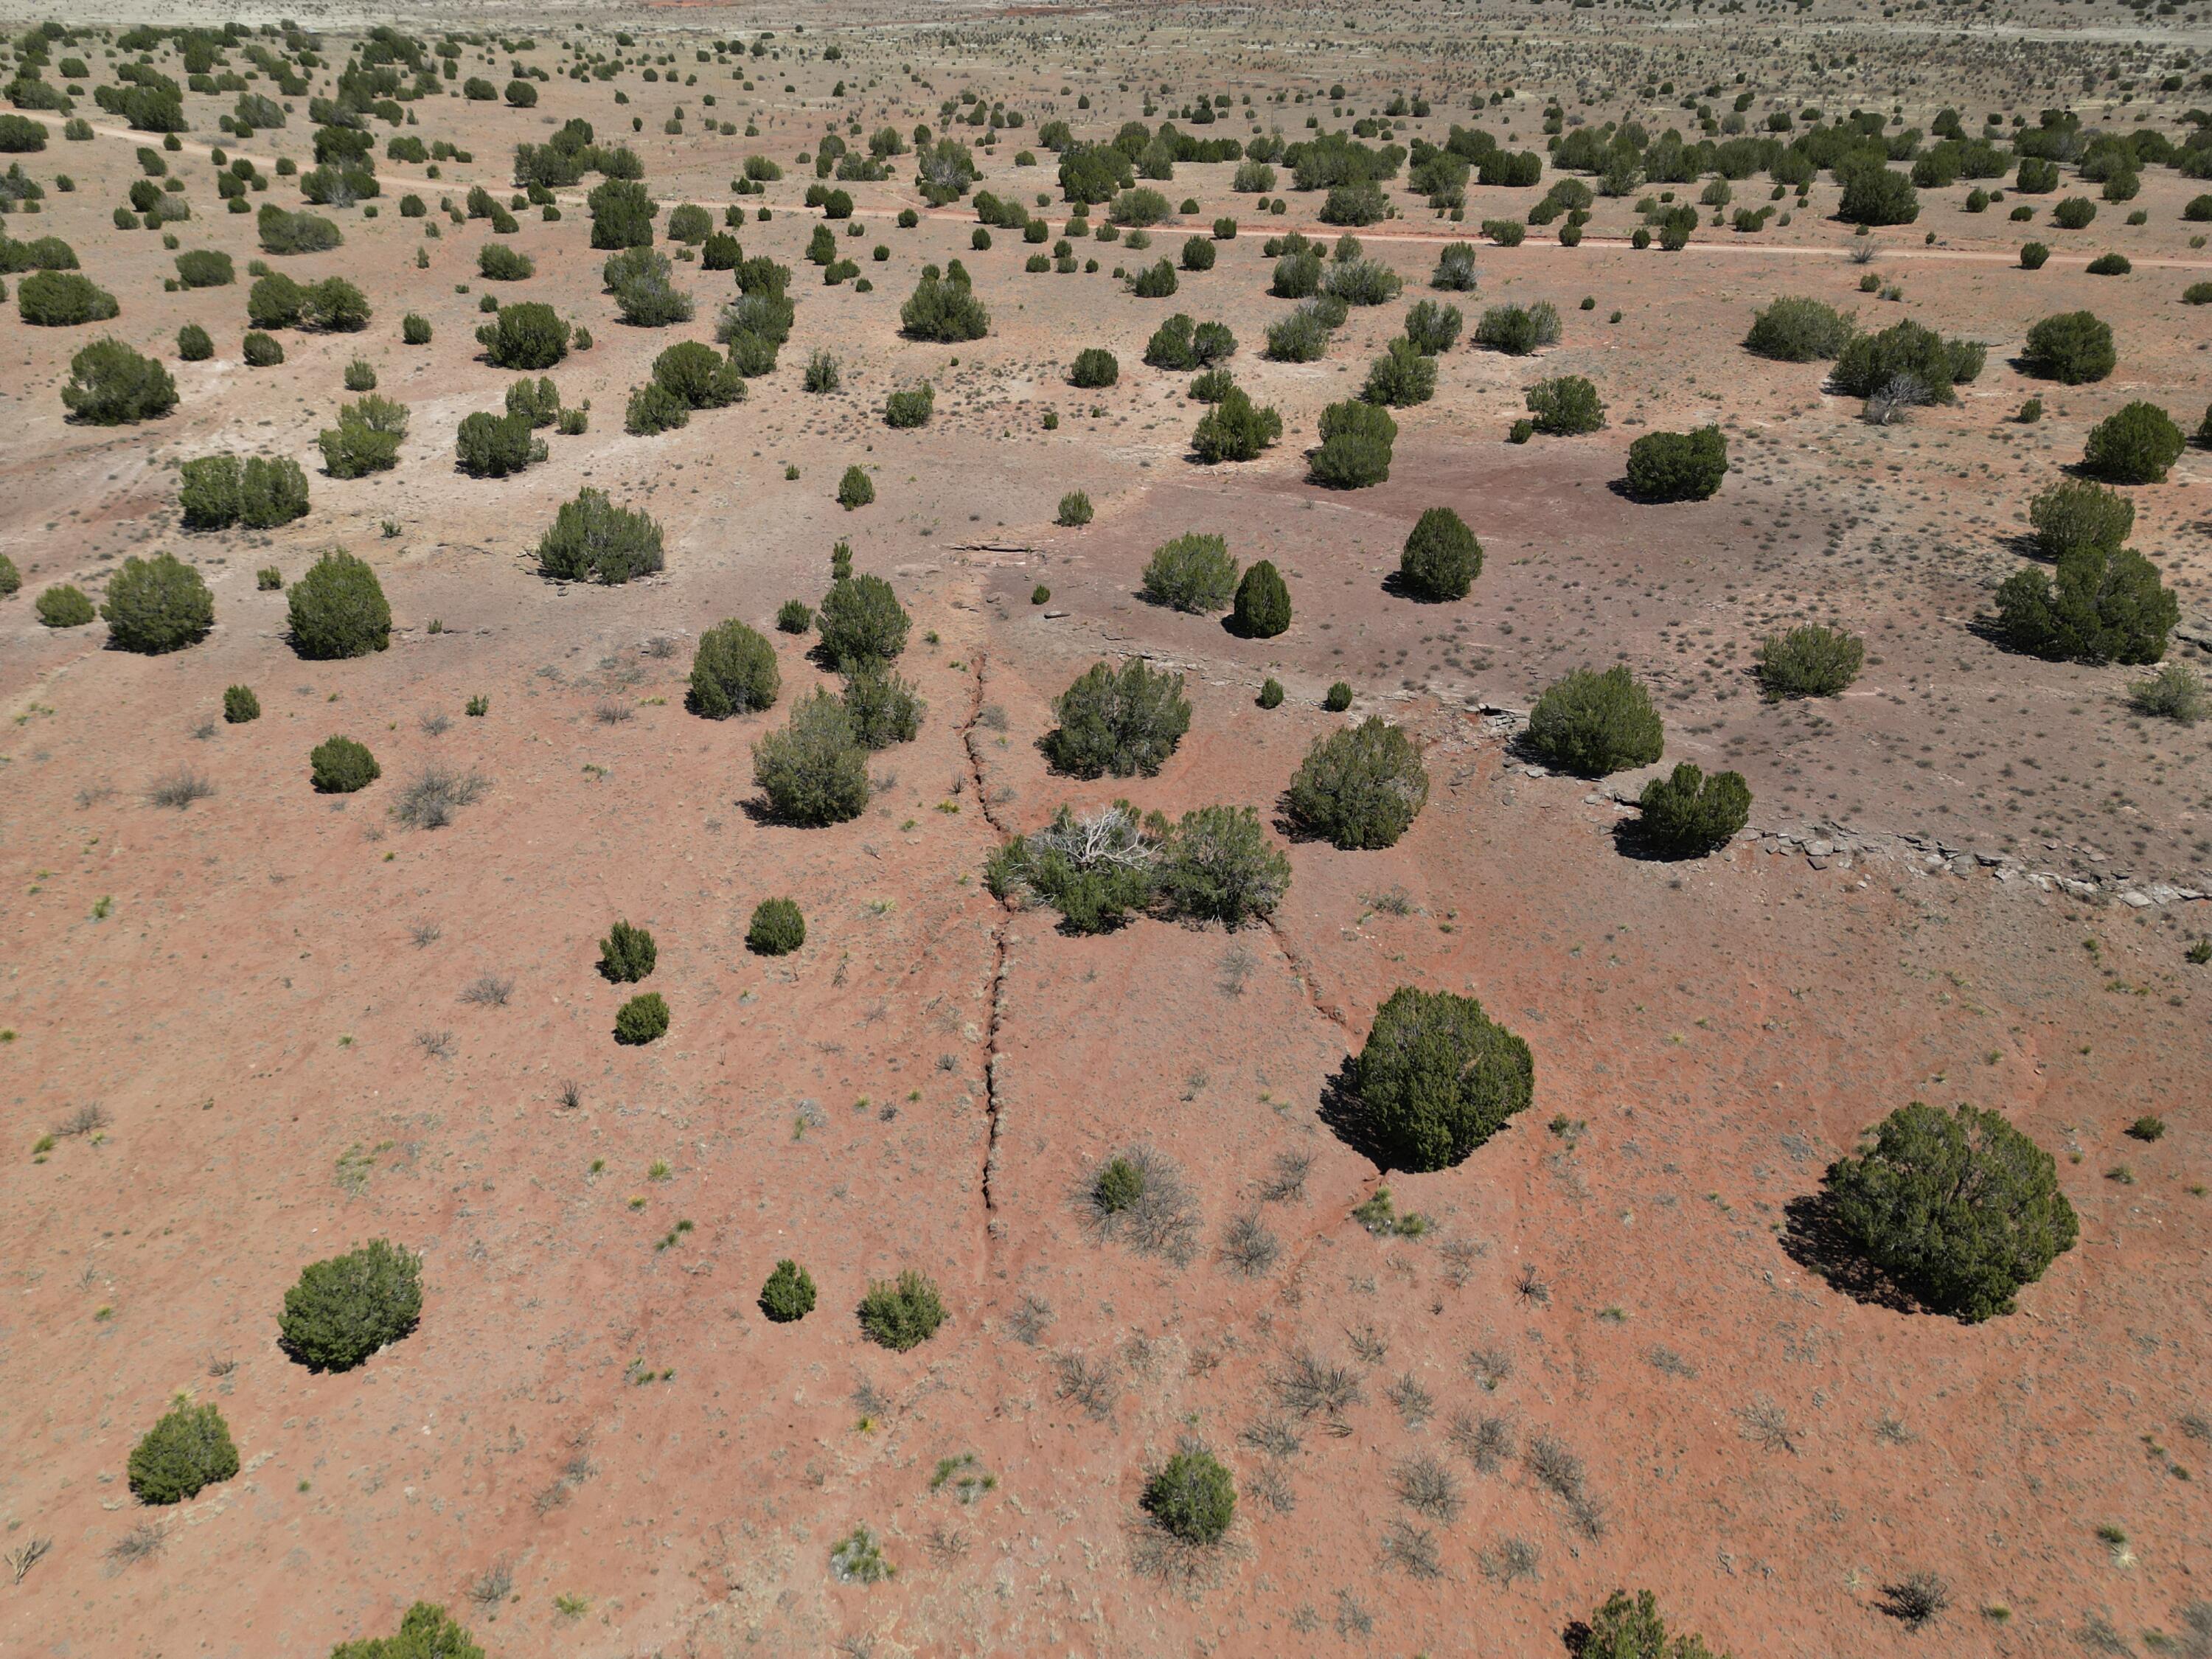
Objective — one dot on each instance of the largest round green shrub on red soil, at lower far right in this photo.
(1961, 1209)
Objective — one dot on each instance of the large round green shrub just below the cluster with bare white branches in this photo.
(1437, 1081)
